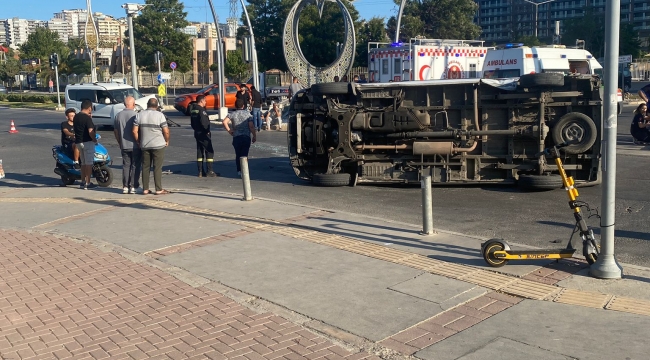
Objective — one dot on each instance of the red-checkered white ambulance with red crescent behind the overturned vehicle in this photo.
(426, 59)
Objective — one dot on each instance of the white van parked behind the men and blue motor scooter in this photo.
(107, 98)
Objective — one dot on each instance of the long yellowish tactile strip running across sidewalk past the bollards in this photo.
(506, 284)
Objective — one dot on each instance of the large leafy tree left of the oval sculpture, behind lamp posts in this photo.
(156, 30)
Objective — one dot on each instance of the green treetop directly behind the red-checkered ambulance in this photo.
(439, 19)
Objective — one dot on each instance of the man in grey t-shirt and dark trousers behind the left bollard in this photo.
(239, 125)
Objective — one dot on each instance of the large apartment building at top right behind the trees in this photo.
(505, 20)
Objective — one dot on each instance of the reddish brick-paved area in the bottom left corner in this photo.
(64, 299)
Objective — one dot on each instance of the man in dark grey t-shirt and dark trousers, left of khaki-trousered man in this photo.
(131, 153)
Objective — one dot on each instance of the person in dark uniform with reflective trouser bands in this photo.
(201, 124)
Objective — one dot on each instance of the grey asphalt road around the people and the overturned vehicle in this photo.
(541, 219)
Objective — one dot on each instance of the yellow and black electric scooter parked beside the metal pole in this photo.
(497, 252)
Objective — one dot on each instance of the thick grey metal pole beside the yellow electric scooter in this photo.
(606, 266)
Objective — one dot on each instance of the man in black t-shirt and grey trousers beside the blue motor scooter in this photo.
(85, 139)
